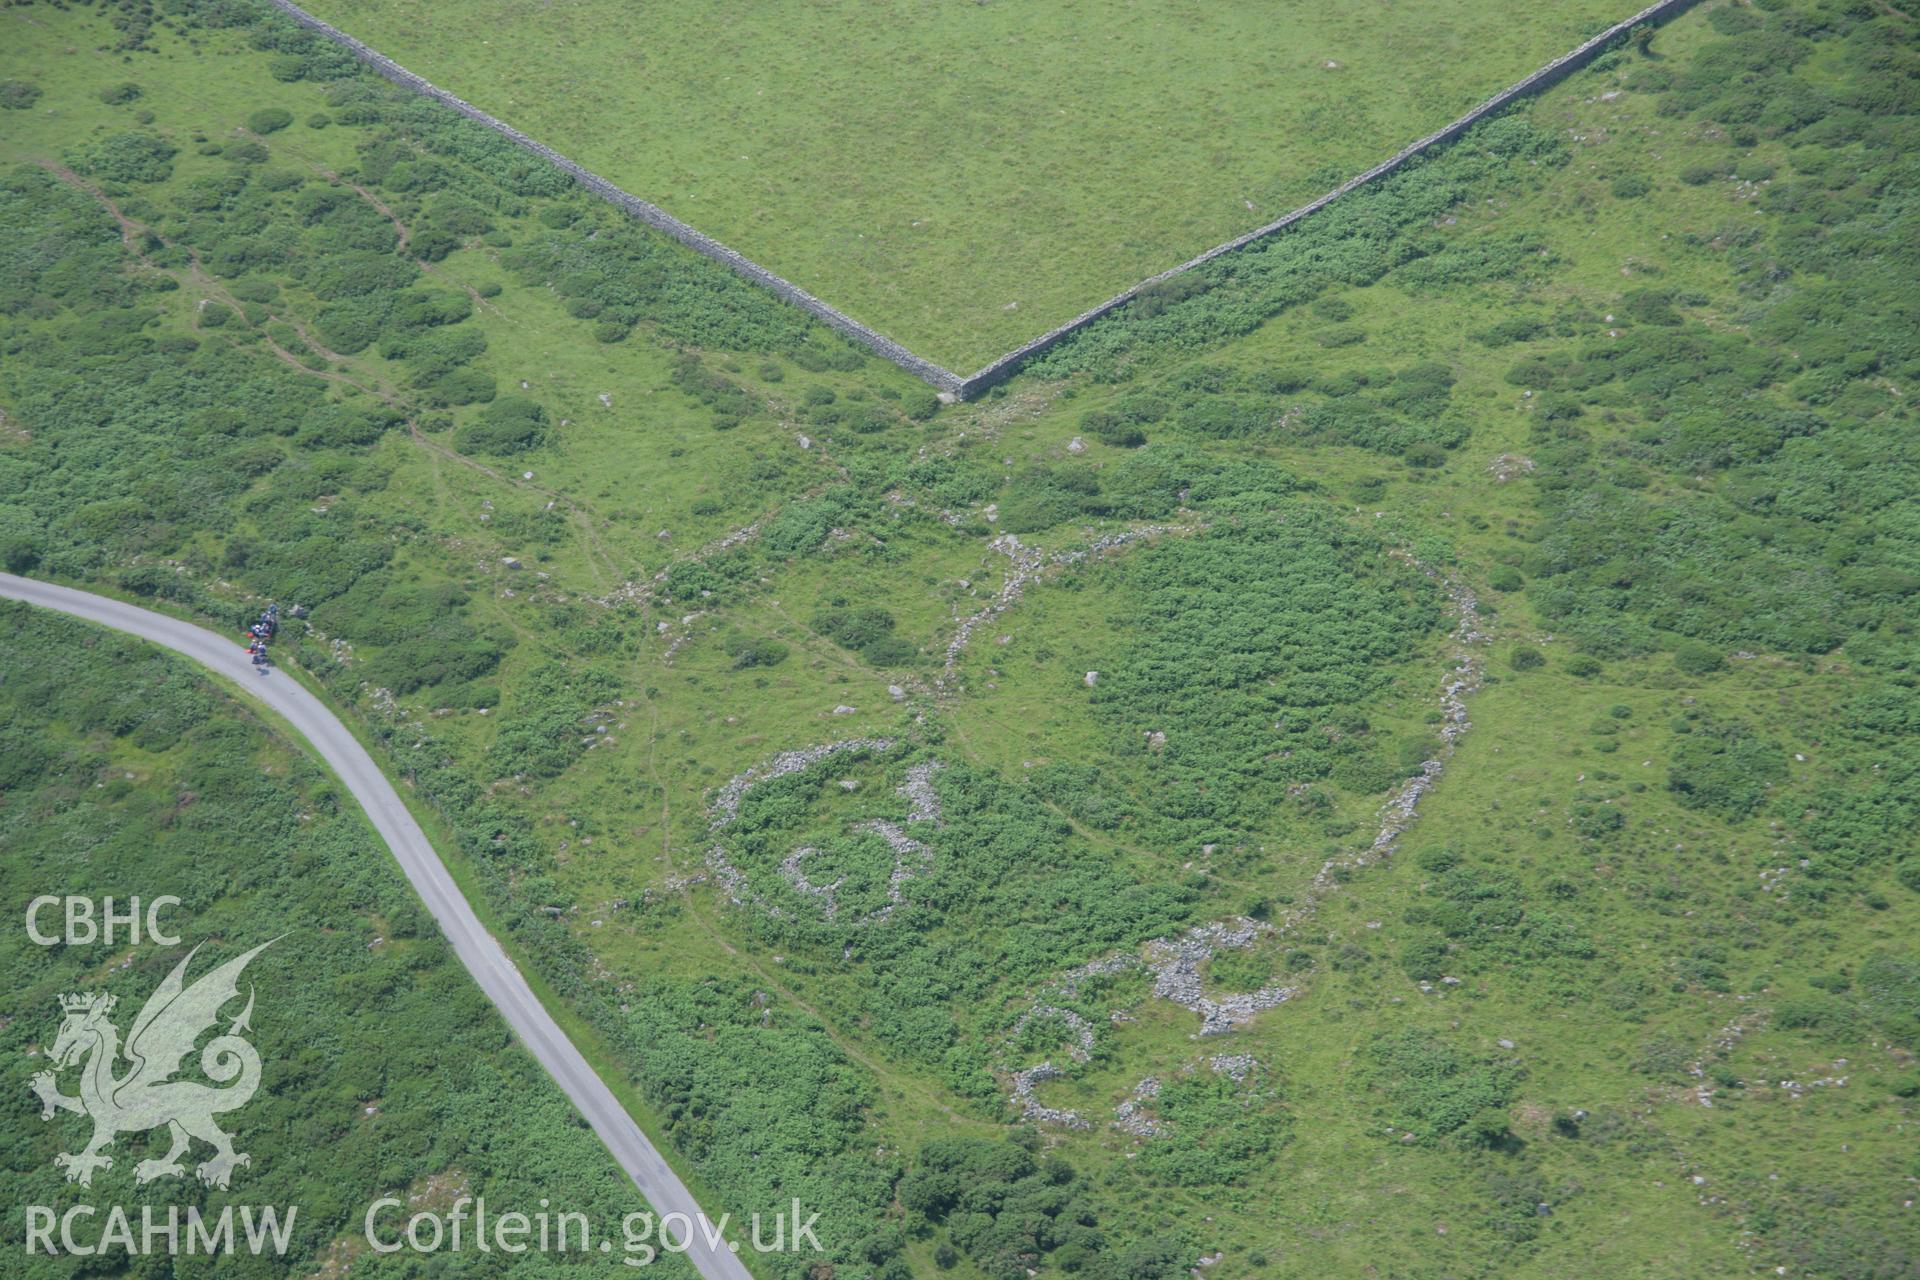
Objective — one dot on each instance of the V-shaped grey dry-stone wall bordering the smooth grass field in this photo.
(890, 350)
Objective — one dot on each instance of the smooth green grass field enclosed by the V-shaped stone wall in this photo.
(965, 178)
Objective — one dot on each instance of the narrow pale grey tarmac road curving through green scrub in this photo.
(477, 949)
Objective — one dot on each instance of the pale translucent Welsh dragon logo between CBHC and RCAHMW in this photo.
(147, 1097)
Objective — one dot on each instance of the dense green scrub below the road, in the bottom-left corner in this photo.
(385, 1070)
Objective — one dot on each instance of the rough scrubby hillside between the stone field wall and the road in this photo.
(1568, 366)
